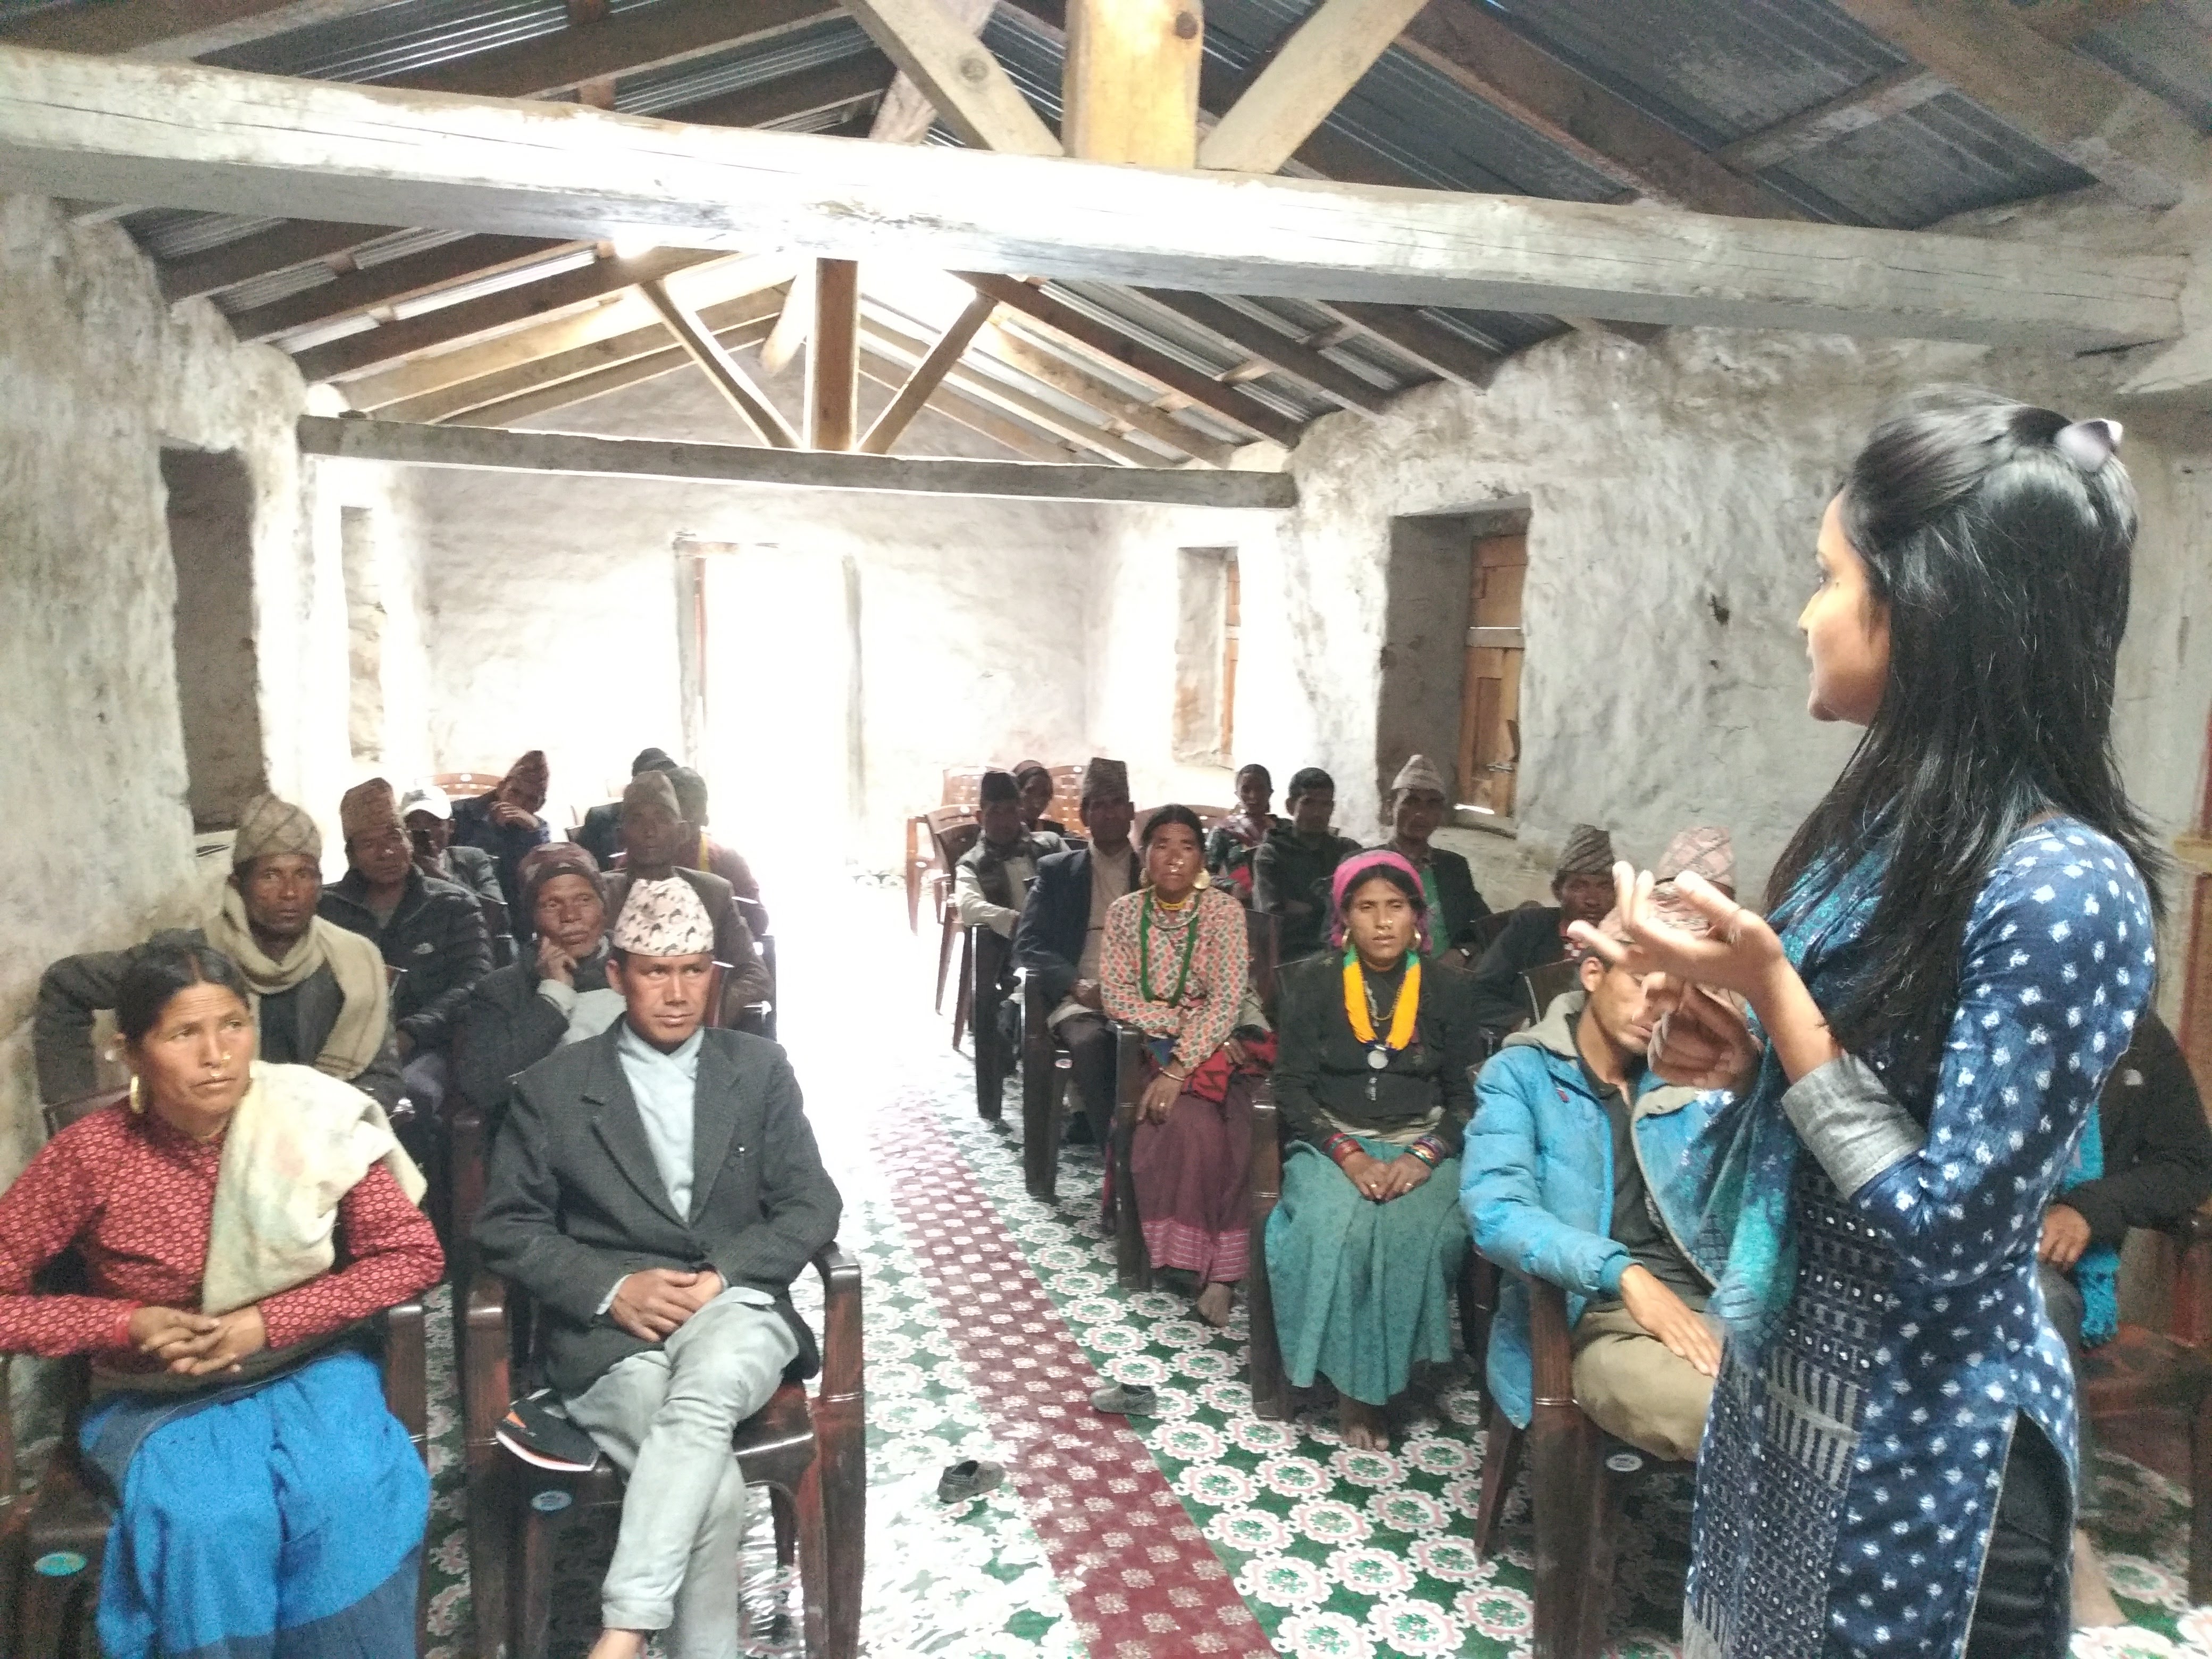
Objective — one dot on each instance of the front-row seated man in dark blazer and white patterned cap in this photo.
(658, 1189)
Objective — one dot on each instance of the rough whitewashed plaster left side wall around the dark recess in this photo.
(96, 373)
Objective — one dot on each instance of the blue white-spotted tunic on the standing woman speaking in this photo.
(1857, 1448)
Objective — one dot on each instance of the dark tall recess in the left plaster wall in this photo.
(211, 528)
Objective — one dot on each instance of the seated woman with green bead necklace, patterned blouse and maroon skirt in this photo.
(1173, 966)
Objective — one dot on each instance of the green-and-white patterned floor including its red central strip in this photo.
(990, 1317)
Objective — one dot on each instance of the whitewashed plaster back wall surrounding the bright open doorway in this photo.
(554, 625)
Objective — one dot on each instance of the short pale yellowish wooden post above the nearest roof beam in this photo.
(1134, 83)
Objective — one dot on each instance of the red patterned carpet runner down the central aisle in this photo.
(1138, 1576)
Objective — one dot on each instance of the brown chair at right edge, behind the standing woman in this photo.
(2142, 1370)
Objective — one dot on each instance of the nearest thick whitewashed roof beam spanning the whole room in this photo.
(207, 138)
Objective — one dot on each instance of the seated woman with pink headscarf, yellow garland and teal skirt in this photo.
(1375, 1081)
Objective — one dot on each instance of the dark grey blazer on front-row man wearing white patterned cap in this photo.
(574, 1202)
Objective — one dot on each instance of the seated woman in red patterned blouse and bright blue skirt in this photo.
(262, 1481)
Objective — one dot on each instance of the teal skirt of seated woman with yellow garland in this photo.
(1361, 1288)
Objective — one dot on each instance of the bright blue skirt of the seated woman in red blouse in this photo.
(275, 1521)
